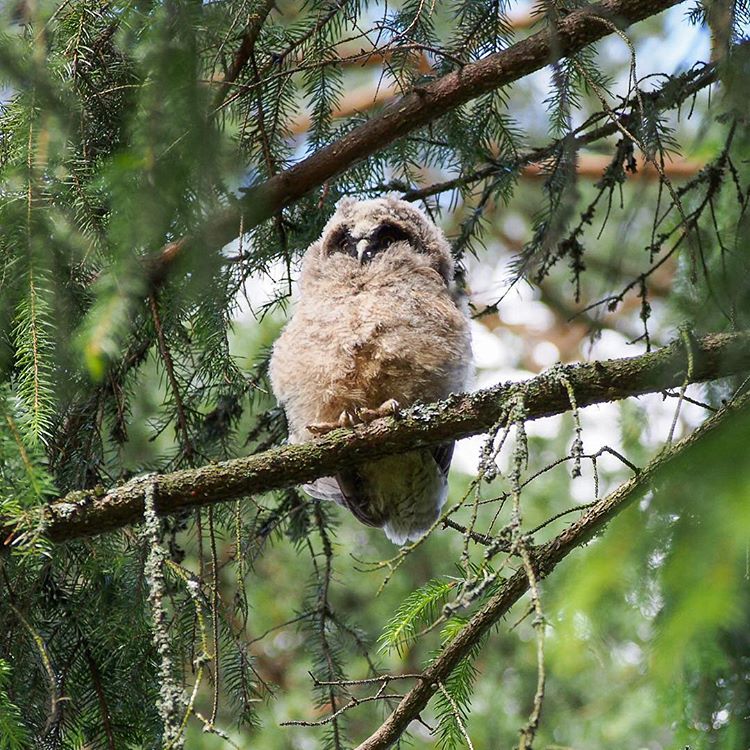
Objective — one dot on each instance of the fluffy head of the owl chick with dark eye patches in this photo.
(366, 237)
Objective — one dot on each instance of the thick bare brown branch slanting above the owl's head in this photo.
(425, 104)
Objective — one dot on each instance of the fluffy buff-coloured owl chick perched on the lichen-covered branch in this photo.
(377, 320)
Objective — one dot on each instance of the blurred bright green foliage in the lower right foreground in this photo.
(680, 559)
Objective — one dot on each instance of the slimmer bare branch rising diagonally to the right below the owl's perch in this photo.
(545, 559)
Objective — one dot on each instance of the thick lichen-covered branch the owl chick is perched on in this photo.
(90, 512)
